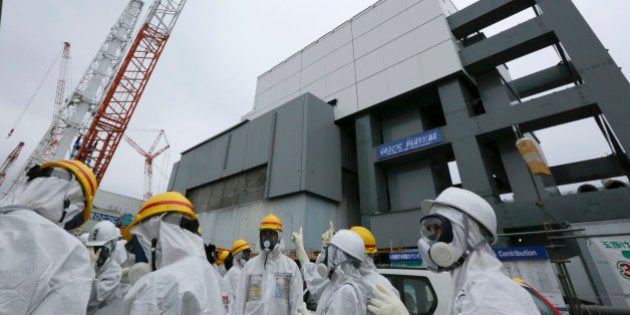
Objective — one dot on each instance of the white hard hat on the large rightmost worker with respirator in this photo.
(467, 202)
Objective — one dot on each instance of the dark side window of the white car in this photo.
(416, 293)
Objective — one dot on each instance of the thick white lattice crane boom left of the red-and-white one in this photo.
(79, 109)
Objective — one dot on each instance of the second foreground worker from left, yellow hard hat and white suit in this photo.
(182, 281)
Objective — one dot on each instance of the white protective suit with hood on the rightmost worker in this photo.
(480, 285)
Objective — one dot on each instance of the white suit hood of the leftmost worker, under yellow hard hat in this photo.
(47, 196)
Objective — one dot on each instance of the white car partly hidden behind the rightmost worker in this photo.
(422, 291)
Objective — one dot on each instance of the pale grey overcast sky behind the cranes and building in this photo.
(206, 78)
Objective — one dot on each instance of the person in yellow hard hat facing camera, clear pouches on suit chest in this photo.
(270, 282)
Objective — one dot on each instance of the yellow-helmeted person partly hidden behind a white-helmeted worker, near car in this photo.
(369, 275)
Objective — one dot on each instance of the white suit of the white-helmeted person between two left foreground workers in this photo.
(105, 286)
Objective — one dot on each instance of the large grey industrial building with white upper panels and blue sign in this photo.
(360, 126)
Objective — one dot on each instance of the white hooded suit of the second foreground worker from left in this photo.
(184, 282)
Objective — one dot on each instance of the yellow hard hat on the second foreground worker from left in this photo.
(171, 201)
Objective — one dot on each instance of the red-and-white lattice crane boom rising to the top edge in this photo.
(109, 125)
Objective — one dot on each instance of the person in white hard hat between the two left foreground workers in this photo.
(101, 244)
